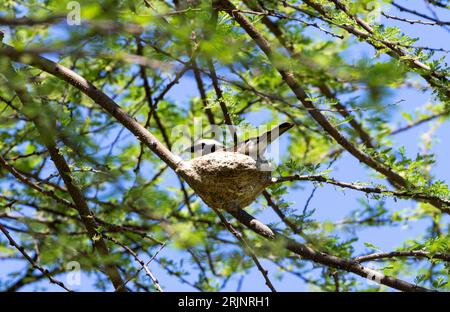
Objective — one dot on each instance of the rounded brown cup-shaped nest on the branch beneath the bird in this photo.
(226, 180)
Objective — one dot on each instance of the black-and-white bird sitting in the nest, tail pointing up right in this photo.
(254, 147)
